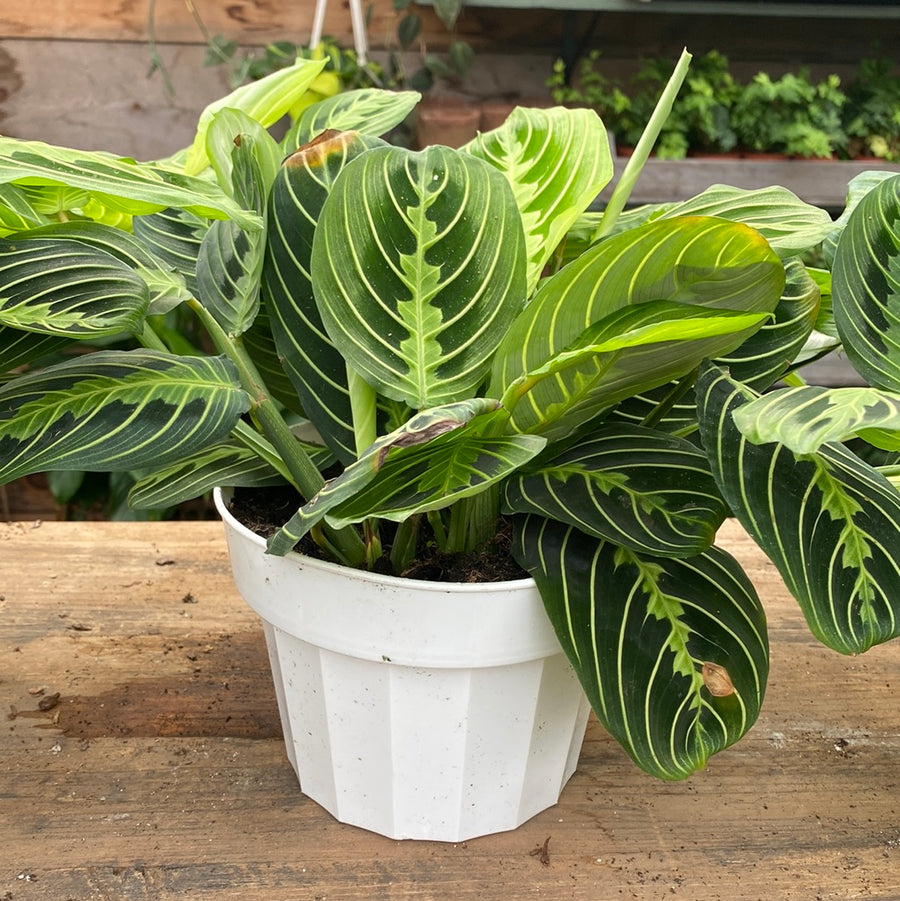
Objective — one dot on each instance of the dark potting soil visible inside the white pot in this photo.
(264, 510)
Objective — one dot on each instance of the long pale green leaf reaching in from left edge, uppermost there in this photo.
(118, 182)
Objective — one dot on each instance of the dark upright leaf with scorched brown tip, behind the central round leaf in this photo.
(317, 370)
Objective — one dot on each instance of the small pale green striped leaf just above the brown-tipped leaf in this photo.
(368, 110)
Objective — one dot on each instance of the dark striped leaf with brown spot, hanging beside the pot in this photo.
(673, 653)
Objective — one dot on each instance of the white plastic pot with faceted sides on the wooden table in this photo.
(414, 709)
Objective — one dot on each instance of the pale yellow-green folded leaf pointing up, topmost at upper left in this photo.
(265, 100)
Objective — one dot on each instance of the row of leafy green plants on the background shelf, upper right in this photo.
(715, 113)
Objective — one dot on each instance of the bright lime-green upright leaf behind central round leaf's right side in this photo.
(557, 162)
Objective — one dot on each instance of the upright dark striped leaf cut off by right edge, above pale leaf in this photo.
(866, 286)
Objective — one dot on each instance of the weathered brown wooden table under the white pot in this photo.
(159, 770)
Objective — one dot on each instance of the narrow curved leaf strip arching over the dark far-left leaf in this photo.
(167, 287)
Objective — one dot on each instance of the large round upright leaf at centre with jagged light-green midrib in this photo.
(418, 269)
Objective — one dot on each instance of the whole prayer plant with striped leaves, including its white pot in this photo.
(395, 339)
